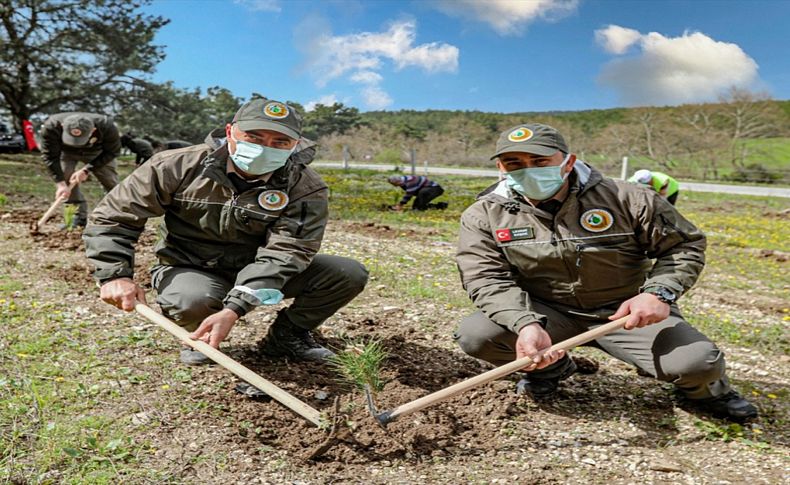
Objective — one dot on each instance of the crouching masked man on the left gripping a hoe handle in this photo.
(244, 216)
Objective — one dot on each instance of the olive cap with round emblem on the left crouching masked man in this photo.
(267, 114)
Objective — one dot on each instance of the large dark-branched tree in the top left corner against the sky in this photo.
(78, 54)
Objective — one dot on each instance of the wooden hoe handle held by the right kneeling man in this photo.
(502, 371)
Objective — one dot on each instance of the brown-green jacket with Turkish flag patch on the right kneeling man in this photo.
(595, 253)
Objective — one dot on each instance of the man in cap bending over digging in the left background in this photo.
(70, 138)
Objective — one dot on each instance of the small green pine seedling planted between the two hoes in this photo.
(360, 364)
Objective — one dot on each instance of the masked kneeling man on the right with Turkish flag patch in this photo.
(555, 248)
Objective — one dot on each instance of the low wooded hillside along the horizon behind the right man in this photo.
(743, 138)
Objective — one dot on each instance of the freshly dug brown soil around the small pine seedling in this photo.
(466, 426)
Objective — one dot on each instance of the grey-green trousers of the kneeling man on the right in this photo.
(671, 351)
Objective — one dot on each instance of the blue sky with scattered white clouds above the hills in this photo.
(488, 55)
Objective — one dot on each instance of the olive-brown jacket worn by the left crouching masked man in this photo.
(266, 234)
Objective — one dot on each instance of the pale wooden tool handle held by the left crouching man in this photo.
(289, 401)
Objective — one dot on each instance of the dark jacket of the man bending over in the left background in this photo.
(102, 148)
